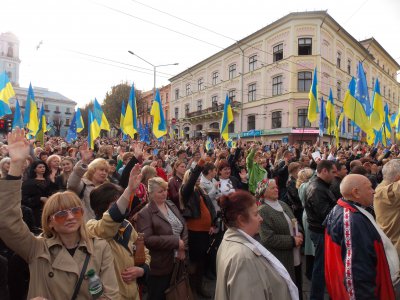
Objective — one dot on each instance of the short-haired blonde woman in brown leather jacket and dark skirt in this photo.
(165, 235)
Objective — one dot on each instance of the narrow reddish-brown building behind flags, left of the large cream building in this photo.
(146, 100)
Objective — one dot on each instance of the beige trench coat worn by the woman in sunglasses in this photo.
(53, 271)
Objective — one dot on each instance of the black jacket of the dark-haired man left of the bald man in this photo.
(319, 202)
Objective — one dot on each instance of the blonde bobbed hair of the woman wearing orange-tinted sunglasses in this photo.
(60, 201)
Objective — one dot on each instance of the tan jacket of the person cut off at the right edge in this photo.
(387, 210)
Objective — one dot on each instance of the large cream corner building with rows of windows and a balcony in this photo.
(268, 74)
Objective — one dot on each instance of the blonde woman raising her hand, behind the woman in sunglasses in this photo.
(85, 176)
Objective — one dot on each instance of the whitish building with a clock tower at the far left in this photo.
(59, 109)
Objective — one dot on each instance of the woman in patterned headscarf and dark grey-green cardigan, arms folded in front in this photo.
(280, 232)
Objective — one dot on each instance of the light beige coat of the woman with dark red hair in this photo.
(243, 273)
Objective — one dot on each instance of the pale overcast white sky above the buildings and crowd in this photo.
(84, 44)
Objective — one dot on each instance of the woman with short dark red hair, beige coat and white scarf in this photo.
(245, 269)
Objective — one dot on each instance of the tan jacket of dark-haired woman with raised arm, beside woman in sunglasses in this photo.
(107, 228)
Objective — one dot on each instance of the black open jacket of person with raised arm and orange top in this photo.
(190, 197)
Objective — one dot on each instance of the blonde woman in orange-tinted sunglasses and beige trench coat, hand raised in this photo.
(56, 258)
